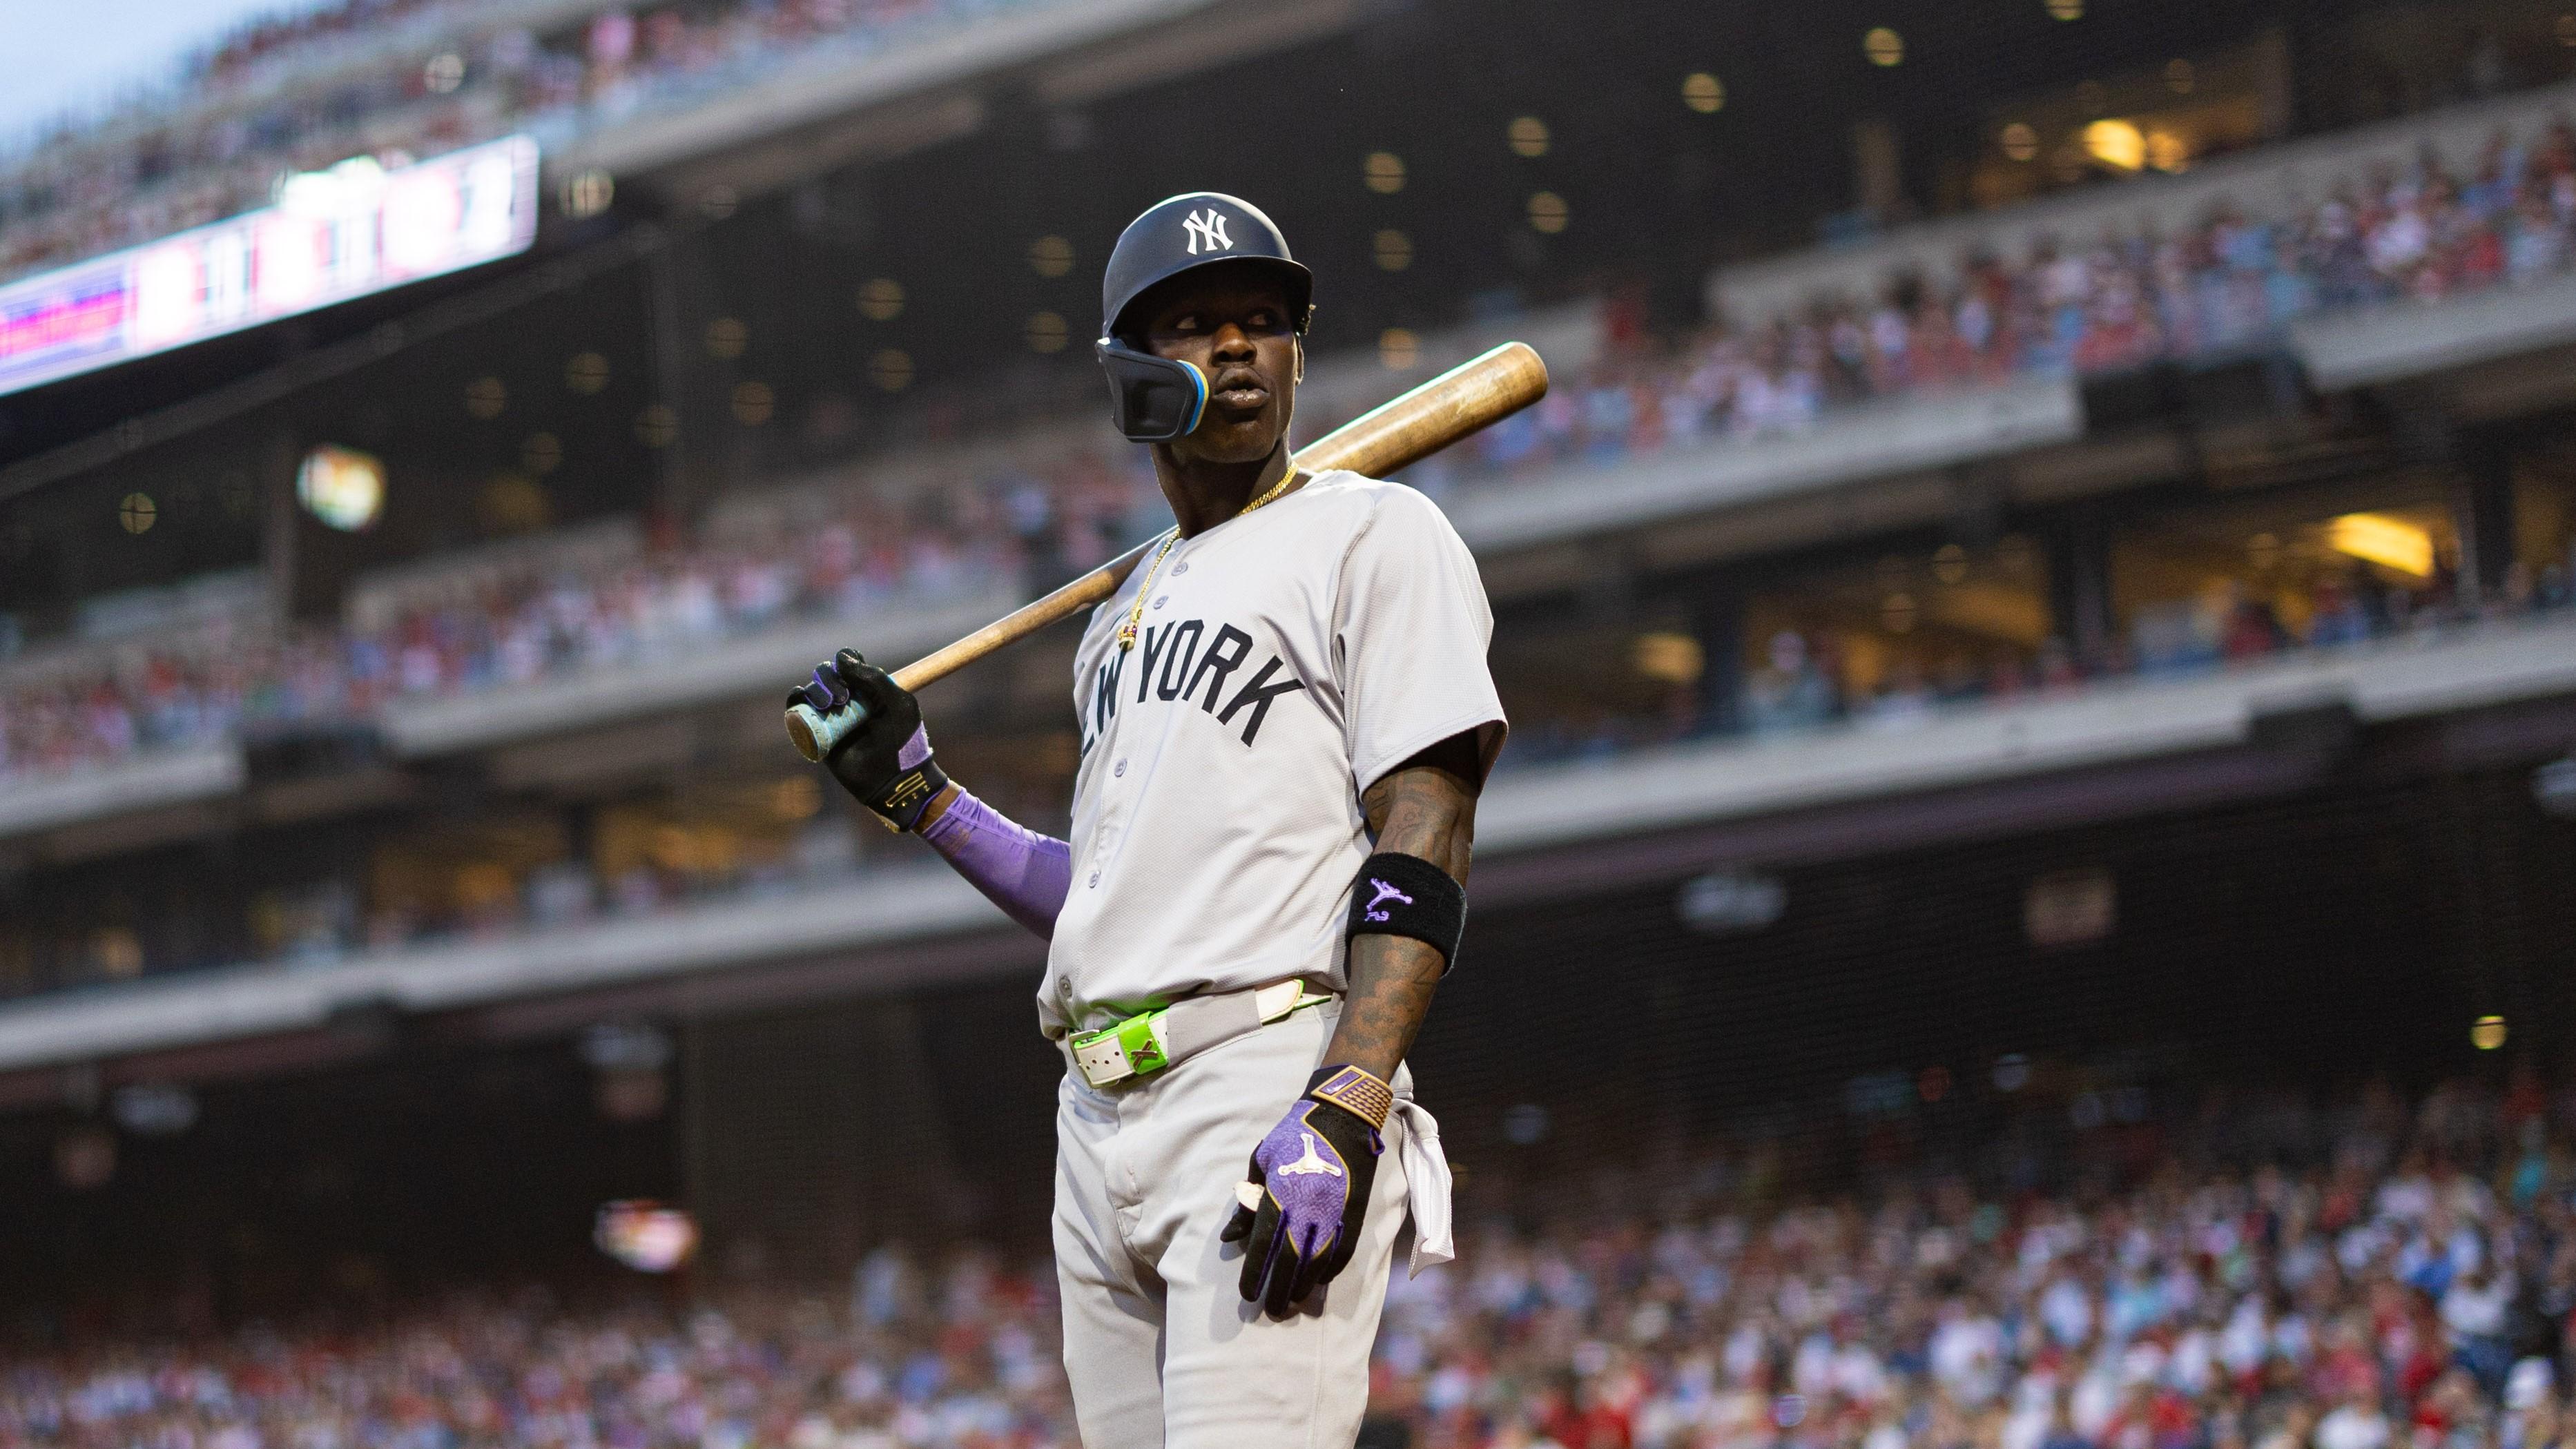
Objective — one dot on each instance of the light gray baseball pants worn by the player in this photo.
(1160, 1347)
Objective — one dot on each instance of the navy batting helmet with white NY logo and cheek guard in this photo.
(1155, 400)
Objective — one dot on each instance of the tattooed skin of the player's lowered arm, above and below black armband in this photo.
(1428, 809)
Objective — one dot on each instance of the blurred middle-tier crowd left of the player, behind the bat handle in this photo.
(480, 627)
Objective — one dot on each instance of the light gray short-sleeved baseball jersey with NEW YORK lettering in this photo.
(1284, 663)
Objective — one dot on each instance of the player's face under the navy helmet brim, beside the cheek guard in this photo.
(1238, 333)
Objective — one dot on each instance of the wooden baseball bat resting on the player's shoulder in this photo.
(1464, 400)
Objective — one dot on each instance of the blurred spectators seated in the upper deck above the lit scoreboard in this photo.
(308, 91)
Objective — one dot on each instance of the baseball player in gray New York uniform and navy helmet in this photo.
(1287, 719)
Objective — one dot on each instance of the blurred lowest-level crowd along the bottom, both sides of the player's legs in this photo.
(2266, 1273)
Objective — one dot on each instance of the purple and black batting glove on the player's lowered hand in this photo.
(1312, 1172)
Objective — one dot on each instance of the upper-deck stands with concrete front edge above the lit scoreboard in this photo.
(596, 84)
